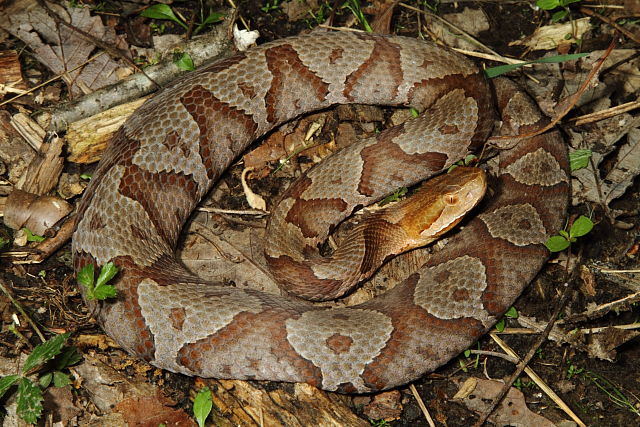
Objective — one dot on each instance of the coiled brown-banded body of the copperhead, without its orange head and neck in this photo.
(170, 152)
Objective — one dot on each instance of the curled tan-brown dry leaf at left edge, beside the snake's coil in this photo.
(37, 213)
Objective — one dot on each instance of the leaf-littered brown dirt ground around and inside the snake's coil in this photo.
(590, 359)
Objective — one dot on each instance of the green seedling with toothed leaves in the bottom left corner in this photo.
(30, 394)
